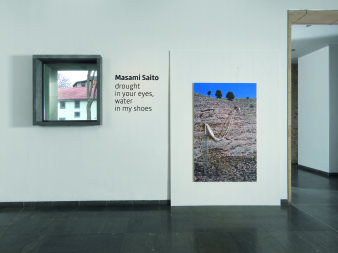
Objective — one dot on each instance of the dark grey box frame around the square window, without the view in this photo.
(38, 82)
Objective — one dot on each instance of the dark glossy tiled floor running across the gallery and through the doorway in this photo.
(308, 226)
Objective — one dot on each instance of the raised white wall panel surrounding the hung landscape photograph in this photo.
(232, 67)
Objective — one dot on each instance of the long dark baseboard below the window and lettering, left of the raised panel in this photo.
(108, 203)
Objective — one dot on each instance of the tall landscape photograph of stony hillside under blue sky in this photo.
(225, 132)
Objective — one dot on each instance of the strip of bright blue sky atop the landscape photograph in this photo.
(240, 90)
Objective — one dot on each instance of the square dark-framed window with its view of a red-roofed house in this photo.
(61, 78)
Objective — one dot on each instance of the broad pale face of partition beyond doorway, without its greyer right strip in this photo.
(313, 110)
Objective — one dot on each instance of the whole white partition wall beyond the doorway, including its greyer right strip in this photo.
(317, 103)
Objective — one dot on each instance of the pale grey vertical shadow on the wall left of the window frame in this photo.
(21, 107)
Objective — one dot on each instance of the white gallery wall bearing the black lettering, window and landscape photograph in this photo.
(127, 157)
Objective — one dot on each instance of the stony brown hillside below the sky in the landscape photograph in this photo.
(232, 159)
